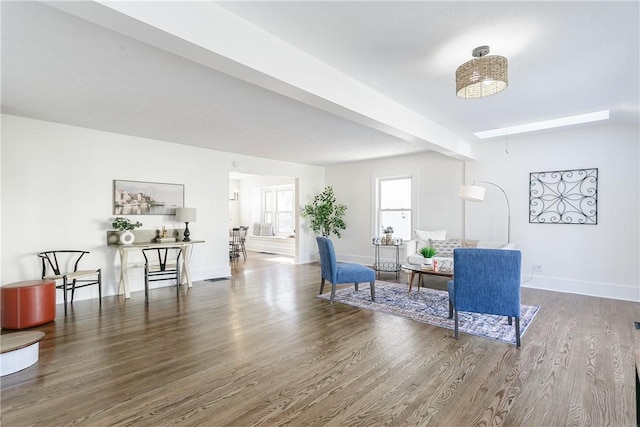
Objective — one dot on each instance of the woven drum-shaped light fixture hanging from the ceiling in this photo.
(483, 76)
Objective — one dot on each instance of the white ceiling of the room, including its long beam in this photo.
(85, 64)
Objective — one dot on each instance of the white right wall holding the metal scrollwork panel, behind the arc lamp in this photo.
(600, 260)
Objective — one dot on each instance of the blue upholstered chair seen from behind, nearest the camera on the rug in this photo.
(486, 281)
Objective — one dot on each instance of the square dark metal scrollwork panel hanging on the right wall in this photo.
(564, 197)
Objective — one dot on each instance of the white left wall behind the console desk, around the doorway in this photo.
(57, 188)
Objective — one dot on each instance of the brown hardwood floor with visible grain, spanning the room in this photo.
(261, 349)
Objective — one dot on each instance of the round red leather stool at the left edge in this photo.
(28, 303)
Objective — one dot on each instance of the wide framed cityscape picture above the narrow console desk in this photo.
(146, 198)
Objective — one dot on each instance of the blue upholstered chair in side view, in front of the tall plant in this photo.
(342, 272)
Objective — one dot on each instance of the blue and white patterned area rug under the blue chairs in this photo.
(432, 306)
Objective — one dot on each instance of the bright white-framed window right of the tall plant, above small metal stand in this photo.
(394, 206)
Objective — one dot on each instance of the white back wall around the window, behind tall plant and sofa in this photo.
(436, 179)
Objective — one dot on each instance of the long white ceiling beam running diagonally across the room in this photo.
(212, 36)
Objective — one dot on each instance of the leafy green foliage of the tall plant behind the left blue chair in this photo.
(324, 214)
